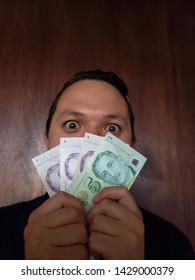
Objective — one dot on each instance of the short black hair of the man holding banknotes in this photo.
(97, 74)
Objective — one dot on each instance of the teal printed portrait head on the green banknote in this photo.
(113, 171)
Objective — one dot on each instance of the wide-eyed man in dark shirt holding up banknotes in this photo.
(115, 228)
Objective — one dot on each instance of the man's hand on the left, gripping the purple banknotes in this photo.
(57, 230)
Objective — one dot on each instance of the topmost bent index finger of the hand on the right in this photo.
(121, 195)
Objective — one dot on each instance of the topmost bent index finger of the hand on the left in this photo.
(59, 200)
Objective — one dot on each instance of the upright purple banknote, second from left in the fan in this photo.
(69, 154)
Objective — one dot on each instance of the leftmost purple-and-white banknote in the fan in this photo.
(48, 167)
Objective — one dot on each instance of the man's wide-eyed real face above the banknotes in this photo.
(90, 106)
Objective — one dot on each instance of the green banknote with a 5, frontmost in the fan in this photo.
(113, 163)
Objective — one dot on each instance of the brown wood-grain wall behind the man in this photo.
(150, 44)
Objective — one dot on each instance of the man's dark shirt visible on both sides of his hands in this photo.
(163, 241)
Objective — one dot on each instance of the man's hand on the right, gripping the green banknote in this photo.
(116, 229)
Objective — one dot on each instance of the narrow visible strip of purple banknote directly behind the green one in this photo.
(89, 146)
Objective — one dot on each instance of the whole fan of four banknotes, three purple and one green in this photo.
(82, 166)
